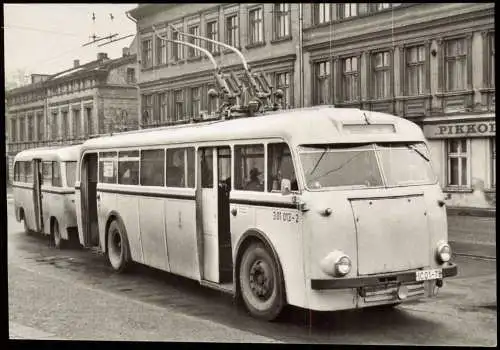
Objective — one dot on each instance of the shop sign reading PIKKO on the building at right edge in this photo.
(471, 129)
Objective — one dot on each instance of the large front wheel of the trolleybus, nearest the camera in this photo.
(261, 284)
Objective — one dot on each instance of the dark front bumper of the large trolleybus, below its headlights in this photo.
(449, 270)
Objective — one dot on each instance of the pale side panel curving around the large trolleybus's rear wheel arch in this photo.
(128, 208)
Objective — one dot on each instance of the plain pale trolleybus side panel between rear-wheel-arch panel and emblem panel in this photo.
(152, 236)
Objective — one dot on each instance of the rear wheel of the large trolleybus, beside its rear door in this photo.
(118, 249)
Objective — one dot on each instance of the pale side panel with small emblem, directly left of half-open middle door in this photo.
(180, 221)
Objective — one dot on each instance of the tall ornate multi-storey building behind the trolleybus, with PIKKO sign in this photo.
(430, 63)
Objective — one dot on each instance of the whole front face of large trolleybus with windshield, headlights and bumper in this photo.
(376, 225)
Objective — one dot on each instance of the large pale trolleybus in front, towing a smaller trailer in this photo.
(323, 208)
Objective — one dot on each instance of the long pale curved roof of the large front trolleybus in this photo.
(314, 125)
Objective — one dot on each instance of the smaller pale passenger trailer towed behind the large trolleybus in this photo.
(44, 193)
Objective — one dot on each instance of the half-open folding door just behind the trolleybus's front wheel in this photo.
(215, 246)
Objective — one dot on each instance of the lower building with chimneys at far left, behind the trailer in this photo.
(69, 107)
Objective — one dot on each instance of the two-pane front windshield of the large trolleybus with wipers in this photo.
(357, 165)
